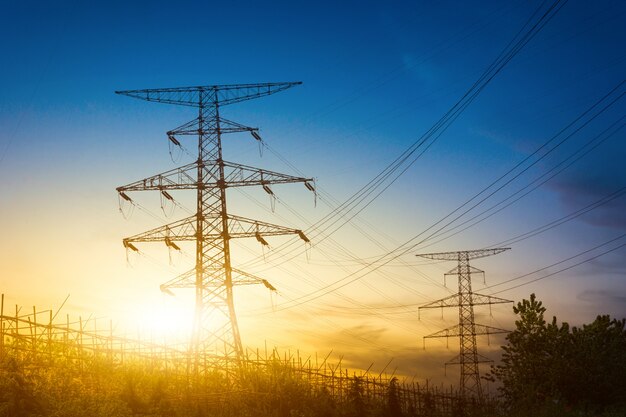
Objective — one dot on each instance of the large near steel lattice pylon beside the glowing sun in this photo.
(215, 329)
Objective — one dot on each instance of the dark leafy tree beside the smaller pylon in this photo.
(550, 369)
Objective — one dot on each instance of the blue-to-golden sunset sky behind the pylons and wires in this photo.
(375, 78)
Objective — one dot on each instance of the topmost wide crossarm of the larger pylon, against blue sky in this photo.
(210, 94)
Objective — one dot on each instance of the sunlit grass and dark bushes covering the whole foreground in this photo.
(547, 369)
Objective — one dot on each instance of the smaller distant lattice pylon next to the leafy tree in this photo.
(467, 330)
